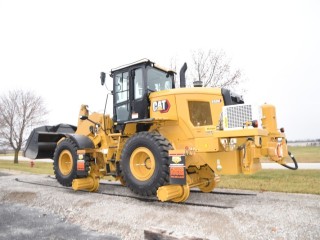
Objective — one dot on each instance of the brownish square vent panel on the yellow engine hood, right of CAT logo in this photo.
(199, 112)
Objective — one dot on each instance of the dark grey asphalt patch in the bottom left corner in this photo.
(21, 222)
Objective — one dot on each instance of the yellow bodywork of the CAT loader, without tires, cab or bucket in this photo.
(209, 151)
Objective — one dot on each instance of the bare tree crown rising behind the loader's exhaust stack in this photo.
(213, 69)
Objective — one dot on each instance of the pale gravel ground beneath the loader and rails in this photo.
(247, 214)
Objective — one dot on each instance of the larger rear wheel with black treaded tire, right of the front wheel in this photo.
(145, 163)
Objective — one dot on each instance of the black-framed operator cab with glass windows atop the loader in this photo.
(132, 85)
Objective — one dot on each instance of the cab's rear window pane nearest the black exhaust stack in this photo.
(158, 80)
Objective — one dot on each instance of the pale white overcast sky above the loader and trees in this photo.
(58, 49)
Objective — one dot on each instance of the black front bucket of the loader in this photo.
(43, 140)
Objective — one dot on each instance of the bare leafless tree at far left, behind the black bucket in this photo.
(19, 112)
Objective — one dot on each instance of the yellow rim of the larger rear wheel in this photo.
(142, 163)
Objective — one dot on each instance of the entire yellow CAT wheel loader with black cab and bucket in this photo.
(161, 140)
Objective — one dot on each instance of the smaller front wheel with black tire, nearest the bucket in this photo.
(65, 162)
